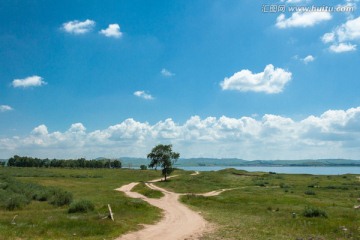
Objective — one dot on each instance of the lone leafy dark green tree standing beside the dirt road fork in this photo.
(163, 156)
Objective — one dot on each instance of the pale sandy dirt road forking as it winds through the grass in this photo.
(178, 222)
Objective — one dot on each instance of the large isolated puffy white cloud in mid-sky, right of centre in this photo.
(271, 80)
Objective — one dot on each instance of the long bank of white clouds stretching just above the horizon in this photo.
(335, 133)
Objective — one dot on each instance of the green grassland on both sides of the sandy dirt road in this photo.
(259, 206)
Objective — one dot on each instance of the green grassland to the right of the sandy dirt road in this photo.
(274, 206)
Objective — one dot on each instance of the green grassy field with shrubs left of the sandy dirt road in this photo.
(91, 191)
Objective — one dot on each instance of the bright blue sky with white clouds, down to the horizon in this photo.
(247, 79)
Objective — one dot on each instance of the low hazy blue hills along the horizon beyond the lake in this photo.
(136, 162)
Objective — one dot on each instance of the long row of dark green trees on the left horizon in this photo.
(18, 161)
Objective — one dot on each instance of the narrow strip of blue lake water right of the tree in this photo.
(290, 170)
